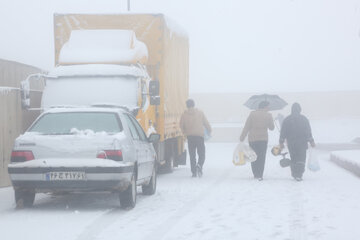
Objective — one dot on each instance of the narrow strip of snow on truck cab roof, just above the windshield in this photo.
(97, 70)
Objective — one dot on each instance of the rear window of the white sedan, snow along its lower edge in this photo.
(72, 122)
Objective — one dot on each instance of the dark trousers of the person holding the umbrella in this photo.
(257, 166)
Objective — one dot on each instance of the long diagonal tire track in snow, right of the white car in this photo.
(168, 224)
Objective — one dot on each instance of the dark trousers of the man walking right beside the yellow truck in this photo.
(196, 144)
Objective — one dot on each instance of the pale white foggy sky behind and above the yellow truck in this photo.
(235, 45)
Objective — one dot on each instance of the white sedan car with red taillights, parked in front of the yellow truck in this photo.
(83, 149)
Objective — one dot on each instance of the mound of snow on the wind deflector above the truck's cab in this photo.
(103, 46)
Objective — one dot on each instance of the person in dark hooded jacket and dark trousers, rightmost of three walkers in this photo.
(296, 131)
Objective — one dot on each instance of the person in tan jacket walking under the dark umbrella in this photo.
(256, 127)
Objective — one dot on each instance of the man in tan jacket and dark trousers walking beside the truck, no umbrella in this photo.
(193, 123)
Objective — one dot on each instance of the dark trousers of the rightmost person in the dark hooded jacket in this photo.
(298, 158)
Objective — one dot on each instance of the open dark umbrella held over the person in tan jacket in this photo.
(275, 102)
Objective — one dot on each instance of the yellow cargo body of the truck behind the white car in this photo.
(168, 63)
